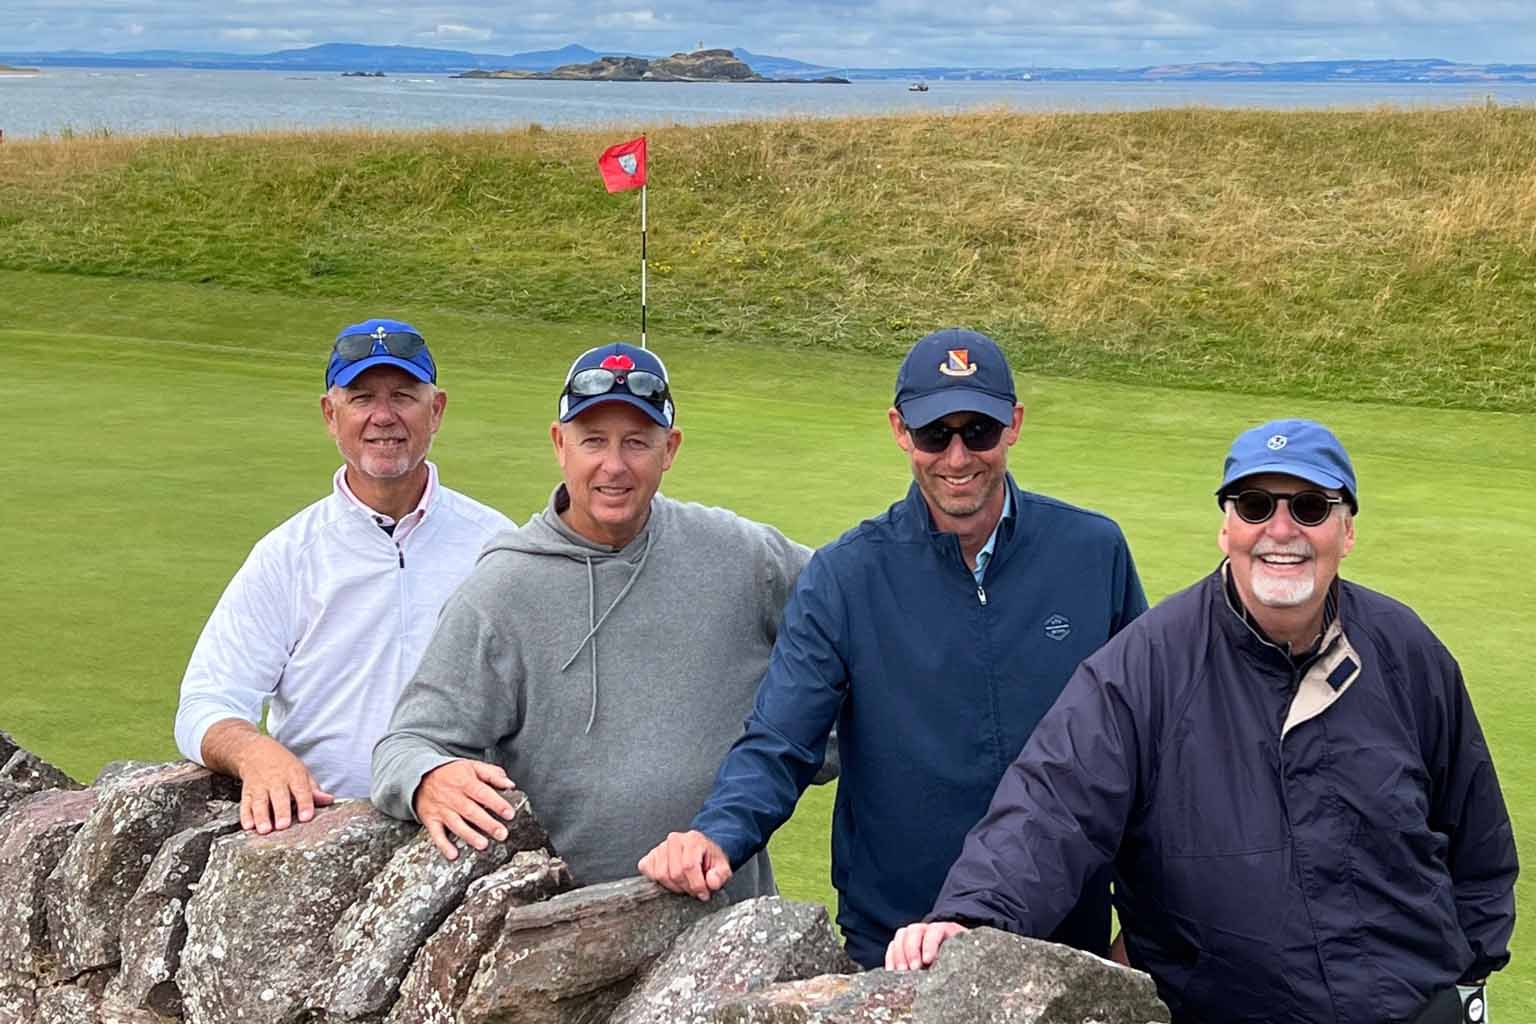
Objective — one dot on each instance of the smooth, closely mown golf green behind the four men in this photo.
(157, 431)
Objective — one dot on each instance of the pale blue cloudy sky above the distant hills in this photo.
(839, 33)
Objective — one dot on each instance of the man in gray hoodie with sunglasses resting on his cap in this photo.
(606, 652)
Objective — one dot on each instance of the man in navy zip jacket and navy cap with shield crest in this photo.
(935, 636)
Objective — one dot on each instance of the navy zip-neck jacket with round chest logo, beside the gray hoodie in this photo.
(935, 685)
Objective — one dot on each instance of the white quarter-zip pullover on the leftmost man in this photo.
(326, 623)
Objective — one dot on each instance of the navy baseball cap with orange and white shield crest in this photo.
(955, 372)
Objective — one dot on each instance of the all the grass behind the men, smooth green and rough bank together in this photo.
(165, 308)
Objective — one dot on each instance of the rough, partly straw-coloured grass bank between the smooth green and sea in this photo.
(1382, 256)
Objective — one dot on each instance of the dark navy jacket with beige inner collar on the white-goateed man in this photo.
(1339, 873)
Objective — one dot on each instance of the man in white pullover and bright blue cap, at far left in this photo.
(328, 618)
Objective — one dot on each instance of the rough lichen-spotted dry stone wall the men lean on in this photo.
(139, 900)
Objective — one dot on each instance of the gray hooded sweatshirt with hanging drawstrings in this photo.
(607, 684)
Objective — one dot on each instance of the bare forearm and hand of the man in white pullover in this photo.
(276, 788)
